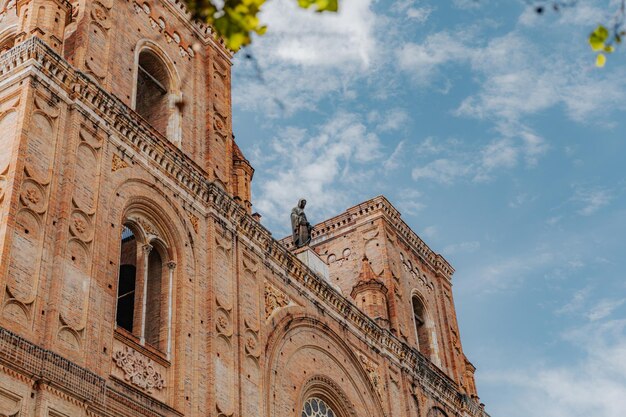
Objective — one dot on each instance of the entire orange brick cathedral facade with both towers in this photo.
(134, 278)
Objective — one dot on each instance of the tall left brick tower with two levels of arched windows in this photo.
(115, 116)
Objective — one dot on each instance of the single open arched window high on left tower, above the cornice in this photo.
(156, 95)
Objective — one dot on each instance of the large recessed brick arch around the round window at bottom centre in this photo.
(306, 359)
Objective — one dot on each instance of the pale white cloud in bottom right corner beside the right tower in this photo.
(593, 385)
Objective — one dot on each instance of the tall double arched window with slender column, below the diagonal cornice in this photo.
(144, 299)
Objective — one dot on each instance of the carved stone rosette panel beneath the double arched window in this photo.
(138, 370)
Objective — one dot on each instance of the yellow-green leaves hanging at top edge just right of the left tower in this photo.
(236, 21)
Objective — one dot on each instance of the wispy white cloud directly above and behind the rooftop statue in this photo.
(322, 165)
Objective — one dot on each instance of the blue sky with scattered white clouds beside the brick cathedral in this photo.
(503, 146)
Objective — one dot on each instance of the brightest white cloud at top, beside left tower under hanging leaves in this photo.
(306, 56)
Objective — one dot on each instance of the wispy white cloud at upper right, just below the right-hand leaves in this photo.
(517, 77)
